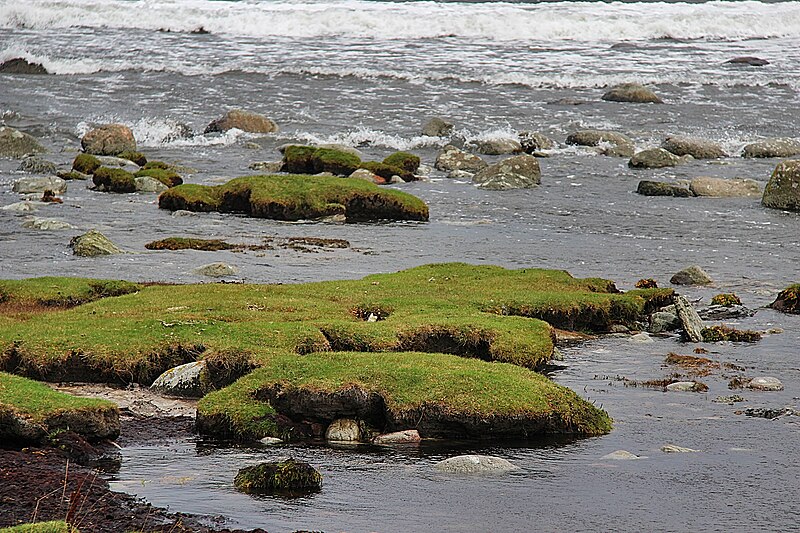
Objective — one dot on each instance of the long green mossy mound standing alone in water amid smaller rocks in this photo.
(296, 197)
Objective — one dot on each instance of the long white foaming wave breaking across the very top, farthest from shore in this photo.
(551, 21)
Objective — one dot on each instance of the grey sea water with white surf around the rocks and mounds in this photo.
(369, 74)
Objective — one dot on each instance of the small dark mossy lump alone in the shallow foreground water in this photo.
(288, 478)
